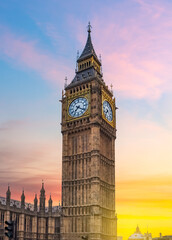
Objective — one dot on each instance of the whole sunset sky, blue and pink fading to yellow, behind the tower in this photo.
(39, 40)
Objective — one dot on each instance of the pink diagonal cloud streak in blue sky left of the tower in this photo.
(26, 54)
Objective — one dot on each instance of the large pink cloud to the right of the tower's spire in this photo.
(135, 48)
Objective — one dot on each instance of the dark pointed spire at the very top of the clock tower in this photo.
(89, 49)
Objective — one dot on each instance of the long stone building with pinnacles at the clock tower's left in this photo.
(33, 222)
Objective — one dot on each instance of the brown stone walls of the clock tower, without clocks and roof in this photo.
(88, 176)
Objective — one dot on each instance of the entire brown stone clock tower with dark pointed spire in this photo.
(88, 156)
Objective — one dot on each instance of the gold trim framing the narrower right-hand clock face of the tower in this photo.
(106, 97)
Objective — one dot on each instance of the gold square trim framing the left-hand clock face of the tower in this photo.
(86, 95)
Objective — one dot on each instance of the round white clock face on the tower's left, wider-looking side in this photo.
(78, 107)
